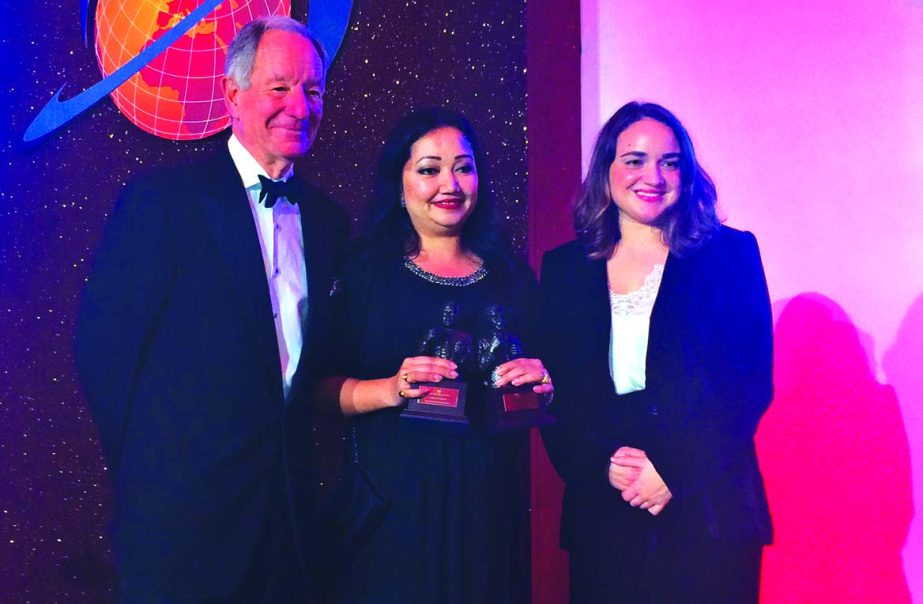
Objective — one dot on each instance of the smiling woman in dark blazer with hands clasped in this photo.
(659, 335)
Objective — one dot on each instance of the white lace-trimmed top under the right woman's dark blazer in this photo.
(631, 319)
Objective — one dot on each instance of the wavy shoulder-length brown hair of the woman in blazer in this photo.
(686, 225)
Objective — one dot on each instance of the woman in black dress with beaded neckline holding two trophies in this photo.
(456, 527)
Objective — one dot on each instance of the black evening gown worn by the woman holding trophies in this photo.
(457, 530)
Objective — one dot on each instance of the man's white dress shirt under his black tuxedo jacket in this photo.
(282, 244)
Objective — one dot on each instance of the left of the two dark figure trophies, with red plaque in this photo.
(446, 400)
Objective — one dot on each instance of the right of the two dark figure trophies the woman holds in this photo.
(506, 407)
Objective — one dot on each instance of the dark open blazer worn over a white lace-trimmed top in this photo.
(709, 380)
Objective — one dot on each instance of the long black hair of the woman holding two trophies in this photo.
(391, 225)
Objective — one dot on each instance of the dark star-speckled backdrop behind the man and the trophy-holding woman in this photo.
(55, 196)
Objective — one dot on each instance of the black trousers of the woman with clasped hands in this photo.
(608, 565)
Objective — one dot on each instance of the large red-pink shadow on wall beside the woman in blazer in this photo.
(836, 459)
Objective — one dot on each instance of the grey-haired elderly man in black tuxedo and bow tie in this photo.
(202, 327)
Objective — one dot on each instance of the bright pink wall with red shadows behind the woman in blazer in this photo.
(809, 116)
